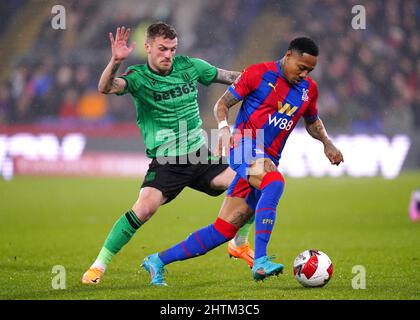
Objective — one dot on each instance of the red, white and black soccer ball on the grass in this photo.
(312, 268)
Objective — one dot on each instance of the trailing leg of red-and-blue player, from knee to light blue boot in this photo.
(233, 214)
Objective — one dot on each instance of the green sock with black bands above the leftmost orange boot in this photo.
(122, 231)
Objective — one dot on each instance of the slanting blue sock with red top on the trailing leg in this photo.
(200, 242)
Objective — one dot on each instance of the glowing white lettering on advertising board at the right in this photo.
(364, 156)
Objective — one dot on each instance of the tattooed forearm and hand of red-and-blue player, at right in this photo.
(317, 130)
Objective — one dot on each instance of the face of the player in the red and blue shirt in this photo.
(297, 66)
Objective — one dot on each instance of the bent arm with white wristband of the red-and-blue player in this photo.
(221, 113)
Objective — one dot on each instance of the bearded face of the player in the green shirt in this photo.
(160, 53)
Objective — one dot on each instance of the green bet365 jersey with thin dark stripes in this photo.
(167, 109)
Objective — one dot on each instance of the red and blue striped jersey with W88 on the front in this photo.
(272, 104)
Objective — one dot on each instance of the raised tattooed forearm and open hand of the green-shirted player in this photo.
(108, 83)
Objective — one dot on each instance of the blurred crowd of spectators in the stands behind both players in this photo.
(368, 79)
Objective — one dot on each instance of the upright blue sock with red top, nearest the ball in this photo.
(265, 215)
